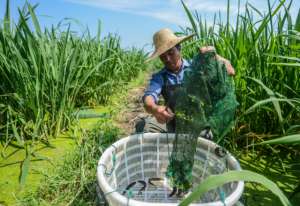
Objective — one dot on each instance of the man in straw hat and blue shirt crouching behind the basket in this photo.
(168, 79)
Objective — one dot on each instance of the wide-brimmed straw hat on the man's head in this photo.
(164, 40)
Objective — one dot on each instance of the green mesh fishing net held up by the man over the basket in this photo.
(206, 102)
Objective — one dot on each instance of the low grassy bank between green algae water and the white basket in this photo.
(73, 181)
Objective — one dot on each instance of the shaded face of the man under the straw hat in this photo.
(171, 59)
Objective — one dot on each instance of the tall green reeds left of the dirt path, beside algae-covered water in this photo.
(46, 74)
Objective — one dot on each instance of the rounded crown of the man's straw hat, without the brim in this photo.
(162, 37)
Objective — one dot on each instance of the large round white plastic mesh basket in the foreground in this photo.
(136, 159)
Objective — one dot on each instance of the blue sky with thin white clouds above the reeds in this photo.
(135, 21)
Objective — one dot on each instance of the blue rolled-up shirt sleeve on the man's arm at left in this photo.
(154, 87)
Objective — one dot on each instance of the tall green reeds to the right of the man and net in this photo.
(265, 53)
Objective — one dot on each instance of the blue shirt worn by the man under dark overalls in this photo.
(157, 81)
